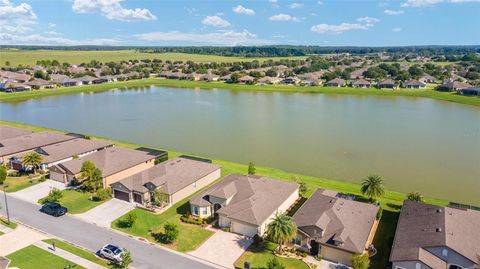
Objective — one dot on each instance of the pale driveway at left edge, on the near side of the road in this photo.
(19, 238)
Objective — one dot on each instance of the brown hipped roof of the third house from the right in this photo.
(253, 199)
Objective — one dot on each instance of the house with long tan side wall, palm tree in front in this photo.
(115, 164)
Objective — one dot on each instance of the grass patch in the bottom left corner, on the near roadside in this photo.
(31, 257)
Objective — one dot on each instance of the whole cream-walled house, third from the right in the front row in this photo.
(245, 204)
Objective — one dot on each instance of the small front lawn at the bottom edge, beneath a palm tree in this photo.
(259, 259)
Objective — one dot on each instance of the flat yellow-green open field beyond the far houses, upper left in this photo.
(30, 57)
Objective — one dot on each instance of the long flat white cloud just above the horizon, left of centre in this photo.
(228, 38)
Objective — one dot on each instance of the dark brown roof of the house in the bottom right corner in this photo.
(421, 226)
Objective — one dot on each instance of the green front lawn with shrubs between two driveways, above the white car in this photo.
(190, 236)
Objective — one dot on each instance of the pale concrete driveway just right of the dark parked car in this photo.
(107, 212)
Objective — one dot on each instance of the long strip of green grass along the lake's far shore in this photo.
(425, 93)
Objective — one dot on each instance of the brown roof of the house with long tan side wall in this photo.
(110, 161)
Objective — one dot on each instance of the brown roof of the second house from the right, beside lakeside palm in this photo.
(339, 219)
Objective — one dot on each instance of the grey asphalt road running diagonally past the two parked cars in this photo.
(92, 237)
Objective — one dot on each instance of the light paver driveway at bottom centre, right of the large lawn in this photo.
(223, 248)
